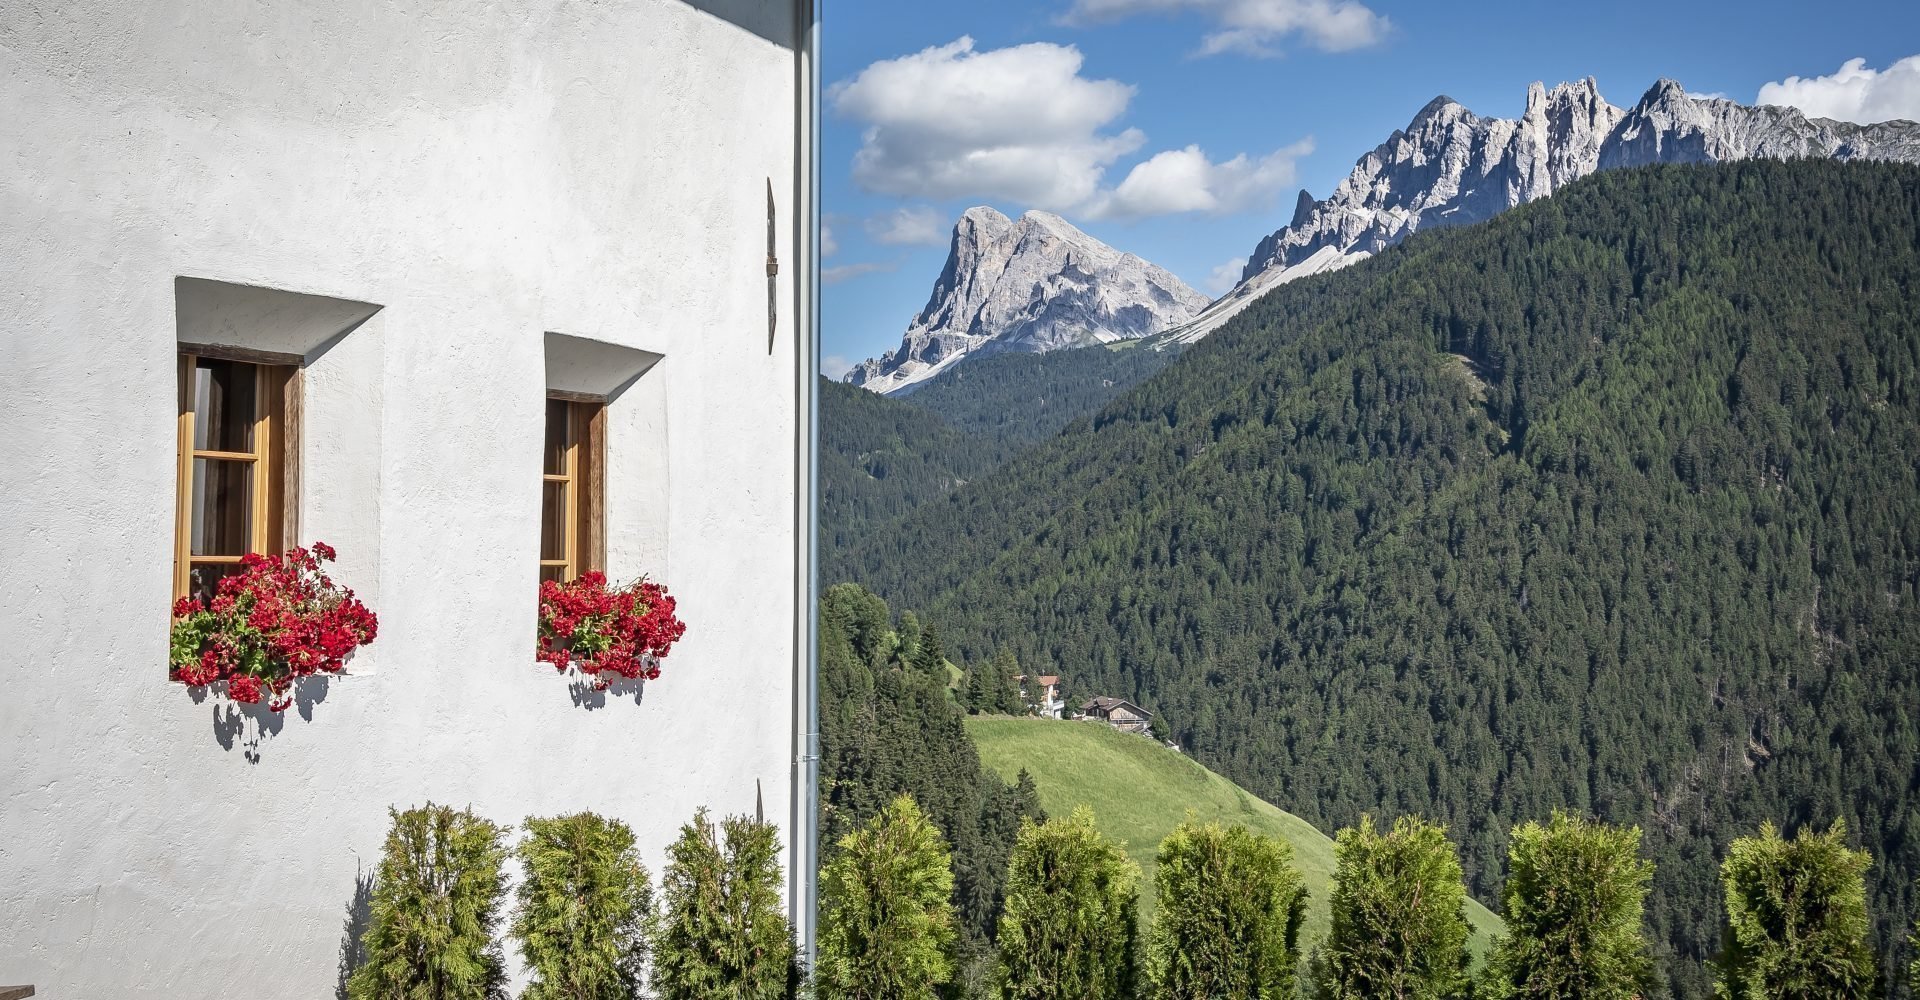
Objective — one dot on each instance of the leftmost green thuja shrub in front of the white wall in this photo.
(435, 907)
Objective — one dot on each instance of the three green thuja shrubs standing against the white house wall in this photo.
(585, 915)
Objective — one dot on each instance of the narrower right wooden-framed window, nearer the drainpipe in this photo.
(573, 536)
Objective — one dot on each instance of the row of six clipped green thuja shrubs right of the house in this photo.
(1232, 907)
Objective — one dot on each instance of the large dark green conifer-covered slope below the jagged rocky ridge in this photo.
(1610, 502)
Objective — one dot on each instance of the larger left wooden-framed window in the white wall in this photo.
(233, 487)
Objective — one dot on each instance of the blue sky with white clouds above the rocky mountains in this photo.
(934, 108)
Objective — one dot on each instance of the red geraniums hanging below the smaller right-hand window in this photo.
(602, 631)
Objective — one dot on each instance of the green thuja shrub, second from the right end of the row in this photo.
(1573, 903)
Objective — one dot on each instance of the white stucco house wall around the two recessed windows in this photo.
(487, 174)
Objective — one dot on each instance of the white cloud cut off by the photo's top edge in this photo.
(1257, 26)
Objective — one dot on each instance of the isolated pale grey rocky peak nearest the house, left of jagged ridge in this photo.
(1028, 285)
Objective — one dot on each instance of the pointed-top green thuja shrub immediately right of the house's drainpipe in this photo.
(886, 911)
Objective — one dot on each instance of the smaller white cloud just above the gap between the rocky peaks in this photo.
(1182, 181)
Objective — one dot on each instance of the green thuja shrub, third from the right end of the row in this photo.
(1399, 915)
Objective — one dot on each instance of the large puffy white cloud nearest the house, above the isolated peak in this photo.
(1013, 124)
